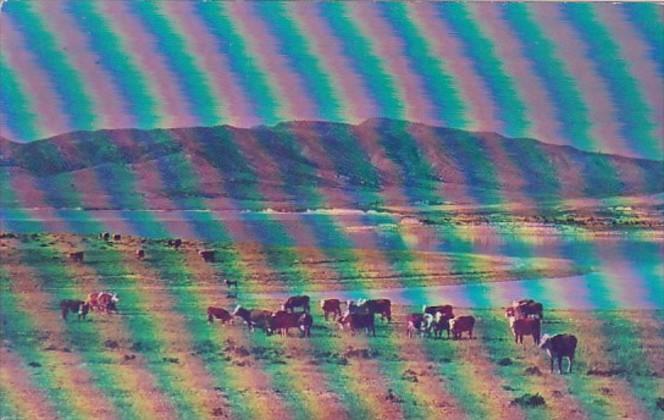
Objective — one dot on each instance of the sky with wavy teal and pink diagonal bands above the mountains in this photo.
(586, 75)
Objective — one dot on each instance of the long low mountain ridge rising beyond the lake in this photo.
(380, 161)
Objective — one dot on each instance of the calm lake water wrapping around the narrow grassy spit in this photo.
(627, 268)
